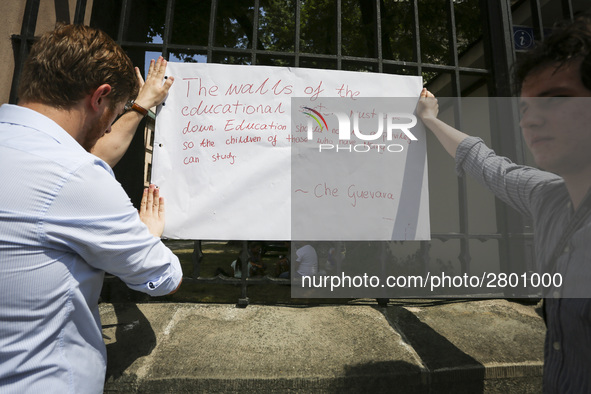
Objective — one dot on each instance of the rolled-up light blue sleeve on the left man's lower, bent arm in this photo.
(97, 222)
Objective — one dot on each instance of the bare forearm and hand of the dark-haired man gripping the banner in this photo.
(427, 110)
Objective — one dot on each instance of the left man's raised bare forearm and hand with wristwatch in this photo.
(112, 146)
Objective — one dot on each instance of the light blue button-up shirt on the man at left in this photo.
(64, 221)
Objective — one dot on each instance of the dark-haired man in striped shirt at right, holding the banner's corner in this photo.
(555, 103)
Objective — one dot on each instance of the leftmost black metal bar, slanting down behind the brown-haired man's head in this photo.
(22, 48)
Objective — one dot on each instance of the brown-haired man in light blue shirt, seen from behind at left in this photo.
(64, 219)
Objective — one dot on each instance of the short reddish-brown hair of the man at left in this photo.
(71, 61)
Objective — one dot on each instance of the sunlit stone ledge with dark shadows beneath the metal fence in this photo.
(417, 346)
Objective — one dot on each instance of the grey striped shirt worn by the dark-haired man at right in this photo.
(543, 197)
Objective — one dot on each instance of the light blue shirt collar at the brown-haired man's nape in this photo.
(15, 114)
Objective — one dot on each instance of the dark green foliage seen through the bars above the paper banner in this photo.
(234, 24)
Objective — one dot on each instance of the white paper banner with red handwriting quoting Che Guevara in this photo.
(222, 156)
